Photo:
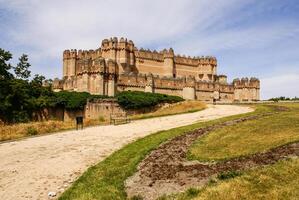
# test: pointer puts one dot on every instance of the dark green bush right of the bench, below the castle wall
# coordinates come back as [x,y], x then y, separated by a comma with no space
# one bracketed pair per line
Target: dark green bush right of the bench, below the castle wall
[136,100]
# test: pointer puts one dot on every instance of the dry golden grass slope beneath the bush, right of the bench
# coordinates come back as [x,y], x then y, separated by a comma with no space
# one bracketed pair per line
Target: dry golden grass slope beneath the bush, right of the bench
[172,109]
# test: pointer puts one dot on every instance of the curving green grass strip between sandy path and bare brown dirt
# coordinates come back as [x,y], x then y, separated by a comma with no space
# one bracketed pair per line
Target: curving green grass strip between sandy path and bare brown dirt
[105,180]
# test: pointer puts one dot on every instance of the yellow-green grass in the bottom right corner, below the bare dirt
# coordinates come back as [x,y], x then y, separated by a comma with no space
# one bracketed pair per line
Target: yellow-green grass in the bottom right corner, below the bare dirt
[277,181]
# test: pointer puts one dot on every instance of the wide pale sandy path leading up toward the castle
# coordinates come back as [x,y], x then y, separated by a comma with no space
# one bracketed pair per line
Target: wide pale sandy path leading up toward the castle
[33,167]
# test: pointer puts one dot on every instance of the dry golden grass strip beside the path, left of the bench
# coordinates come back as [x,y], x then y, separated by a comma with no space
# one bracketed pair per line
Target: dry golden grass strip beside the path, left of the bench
[16,131]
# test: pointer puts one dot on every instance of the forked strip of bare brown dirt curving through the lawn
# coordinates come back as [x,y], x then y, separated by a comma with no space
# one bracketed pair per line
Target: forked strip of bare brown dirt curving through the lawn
[166,170]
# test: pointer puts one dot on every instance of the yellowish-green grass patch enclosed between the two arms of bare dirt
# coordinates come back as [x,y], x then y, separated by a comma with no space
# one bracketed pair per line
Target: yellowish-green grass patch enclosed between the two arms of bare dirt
[248,137]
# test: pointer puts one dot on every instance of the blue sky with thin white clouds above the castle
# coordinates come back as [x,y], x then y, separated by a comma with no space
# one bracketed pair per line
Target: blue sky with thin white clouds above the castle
[250,38]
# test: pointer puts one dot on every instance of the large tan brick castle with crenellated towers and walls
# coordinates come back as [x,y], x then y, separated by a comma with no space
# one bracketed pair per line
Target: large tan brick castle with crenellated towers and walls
[119,66]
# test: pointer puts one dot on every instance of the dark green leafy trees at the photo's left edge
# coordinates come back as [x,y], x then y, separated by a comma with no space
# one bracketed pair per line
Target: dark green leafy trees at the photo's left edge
[19,97]
